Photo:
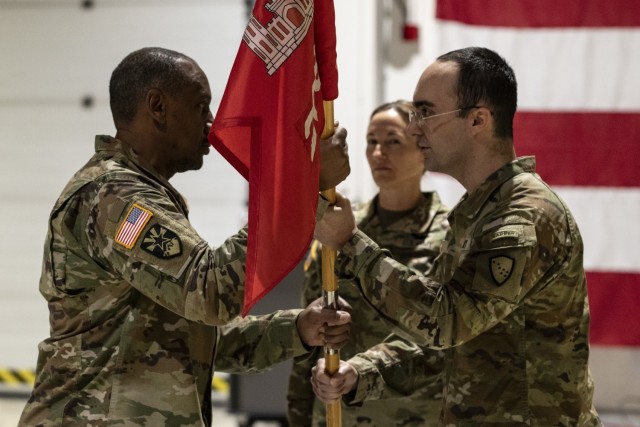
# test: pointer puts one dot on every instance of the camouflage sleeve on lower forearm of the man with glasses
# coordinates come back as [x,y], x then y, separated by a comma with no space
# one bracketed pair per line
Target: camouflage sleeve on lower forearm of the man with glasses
[395,368]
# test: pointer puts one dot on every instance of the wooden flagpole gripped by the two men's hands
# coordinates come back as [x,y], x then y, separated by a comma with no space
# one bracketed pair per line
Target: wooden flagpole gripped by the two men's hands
[329,282]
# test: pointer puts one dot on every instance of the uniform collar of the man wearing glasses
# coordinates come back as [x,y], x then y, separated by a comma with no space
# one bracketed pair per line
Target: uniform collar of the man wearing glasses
[470,204]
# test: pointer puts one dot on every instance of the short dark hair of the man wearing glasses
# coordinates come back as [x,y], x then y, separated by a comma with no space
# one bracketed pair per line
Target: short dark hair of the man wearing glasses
[486,79]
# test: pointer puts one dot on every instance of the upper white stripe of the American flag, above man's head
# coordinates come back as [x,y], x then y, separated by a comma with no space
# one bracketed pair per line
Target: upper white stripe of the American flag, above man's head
[561,69]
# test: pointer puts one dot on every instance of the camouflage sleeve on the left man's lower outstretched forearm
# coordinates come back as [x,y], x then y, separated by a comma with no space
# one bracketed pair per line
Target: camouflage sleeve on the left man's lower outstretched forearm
[257,343]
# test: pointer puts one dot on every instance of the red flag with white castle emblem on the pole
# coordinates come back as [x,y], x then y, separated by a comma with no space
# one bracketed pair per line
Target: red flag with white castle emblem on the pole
[268,127]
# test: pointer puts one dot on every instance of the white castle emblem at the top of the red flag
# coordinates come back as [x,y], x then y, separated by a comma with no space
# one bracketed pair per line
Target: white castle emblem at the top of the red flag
[276,41]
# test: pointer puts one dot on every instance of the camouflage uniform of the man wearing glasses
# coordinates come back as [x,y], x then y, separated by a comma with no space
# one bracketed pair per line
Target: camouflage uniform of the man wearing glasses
[509,304]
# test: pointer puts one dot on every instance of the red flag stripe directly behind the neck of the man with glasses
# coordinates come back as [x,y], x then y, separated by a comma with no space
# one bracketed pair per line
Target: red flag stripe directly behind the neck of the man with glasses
[581,149]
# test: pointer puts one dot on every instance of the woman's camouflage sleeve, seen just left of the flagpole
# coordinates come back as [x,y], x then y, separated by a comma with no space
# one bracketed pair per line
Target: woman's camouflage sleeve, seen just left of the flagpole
[300,395]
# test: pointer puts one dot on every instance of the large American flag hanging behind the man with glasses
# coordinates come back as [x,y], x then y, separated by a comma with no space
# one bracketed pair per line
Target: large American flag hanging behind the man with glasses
[578,68]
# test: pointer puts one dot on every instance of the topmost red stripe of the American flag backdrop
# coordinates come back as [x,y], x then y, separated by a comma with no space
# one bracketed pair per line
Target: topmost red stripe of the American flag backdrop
[541,13]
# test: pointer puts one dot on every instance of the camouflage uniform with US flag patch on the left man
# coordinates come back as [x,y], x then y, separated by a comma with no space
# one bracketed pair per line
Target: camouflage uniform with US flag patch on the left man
[134,293]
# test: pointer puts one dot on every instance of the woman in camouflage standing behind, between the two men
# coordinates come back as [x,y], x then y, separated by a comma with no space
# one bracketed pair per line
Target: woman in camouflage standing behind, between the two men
[411,225]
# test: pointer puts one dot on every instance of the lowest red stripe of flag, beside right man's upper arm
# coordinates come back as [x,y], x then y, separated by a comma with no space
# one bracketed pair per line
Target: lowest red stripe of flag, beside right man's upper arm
[613,301]
